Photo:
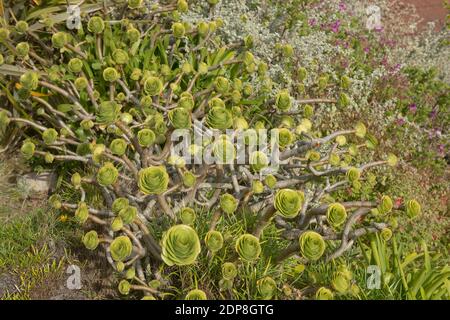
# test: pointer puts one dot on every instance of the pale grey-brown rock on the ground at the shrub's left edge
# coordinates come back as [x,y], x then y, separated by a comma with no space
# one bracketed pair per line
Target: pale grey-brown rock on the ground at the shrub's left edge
[40,183]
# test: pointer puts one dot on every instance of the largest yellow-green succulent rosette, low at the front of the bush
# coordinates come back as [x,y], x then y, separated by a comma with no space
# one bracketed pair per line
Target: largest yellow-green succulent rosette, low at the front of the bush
[180,246]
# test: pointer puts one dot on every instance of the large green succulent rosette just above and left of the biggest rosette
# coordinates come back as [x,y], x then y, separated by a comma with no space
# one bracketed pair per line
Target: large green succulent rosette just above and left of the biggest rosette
[153,180]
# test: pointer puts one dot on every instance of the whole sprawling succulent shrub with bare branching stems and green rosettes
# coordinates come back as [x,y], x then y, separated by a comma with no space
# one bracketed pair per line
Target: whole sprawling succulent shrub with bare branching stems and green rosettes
[108,97]
